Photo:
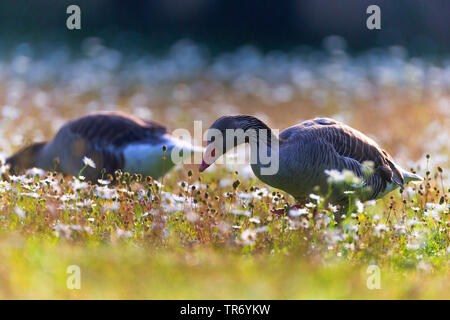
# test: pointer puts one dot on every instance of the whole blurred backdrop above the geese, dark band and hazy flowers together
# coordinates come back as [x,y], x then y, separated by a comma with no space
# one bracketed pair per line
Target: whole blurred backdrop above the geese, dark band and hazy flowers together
[179,61]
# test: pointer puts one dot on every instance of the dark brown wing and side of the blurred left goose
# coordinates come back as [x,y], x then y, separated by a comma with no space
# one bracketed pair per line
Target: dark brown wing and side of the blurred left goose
[102,137]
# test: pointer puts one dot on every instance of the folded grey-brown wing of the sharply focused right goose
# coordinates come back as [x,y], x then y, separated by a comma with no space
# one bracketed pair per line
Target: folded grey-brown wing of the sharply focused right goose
[338,146]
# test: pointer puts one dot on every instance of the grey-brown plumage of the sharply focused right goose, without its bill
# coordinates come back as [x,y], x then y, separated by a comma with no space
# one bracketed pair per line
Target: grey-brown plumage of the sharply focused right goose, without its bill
[310,148]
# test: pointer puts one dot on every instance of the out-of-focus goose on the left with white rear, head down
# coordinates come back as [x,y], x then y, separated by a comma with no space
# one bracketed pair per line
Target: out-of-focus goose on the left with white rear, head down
[113,140]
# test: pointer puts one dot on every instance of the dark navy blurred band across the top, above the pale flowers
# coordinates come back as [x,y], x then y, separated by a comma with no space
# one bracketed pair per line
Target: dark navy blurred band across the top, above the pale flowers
[422,26]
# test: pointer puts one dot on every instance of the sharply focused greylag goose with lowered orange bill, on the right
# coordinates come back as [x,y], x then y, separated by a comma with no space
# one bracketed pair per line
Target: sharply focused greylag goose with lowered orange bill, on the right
[307,153]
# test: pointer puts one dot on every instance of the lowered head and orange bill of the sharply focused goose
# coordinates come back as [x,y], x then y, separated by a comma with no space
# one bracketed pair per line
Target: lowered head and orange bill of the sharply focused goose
[228,132]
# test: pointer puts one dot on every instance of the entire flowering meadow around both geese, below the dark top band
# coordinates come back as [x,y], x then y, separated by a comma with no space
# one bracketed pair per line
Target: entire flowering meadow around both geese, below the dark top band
[215,238]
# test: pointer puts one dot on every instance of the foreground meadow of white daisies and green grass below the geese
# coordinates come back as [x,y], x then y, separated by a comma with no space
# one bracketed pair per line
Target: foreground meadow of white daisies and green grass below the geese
[216,241]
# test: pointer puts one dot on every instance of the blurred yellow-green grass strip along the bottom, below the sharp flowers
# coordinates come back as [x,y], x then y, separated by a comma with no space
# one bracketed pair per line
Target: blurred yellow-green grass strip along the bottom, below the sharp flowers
[38,269]
